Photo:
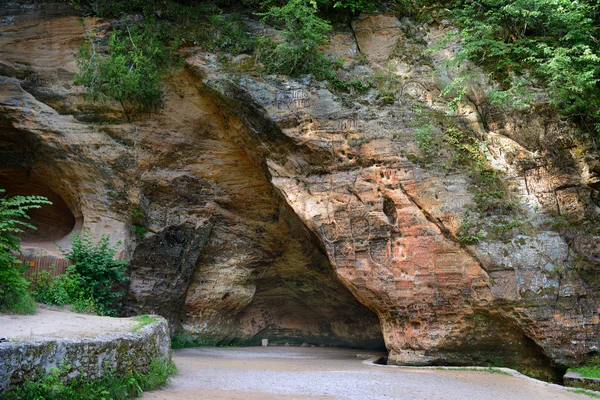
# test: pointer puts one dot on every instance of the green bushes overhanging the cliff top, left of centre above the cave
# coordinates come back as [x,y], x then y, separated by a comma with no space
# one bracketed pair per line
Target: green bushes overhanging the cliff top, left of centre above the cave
[131,68]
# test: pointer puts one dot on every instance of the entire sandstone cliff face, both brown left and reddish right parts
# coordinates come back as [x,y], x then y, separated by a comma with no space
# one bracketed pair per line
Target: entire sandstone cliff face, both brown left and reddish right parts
[278,209]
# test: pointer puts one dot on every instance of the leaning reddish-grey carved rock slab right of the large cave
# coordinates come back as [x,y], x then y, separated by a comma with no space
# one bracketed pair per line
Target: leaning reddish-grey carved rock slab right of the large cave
[379,185]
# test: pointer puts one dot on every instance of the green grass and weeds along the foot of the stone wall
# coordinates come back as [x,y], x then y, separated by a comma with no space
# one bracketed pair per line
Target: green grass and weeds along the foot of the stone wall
[56,386]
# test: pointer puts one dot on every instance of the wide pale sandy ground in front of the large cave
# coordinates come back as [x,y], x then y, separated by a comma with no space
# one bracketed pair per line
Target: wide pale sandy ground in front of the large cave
[288,373]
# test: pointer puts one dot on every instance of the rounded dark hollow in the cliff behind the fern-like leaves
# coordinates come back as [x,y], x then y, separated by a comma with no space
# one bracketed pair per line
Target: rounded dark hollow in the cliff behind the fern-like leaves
[54,222]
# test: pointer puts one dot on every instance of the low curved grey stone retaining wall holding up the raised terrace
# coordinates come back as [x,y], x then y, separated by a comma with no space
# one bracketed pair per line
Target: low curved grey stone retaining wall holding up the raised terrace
[94,358]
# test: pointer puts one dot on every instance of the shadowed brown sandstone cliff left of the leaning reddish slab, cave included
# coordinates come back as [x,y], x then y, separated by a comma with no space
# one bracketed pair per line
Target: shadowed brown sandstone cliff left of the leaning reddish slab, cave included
[216,251]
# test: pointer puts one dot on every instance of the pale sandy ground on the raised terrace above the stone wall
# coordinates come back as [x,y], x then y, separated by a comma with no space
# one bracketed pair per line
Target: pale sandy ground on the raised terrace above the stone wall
[53,323]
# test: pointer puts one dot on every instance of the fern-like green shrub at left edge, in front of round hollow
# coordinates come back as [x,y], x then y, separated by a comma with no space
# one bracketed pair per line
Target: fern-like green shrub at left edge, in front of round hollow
[14,295]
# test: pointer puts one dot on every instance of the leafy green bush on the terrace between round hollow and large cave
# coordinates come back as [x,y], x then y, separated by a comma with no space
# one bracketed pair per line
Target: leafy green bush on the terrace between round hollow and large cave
[97,273]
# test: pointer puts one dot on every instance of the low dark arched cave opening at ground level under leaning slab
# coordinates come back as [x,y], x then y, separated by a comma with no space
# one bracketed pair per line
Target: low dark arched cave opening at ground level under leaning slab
[310,310]
